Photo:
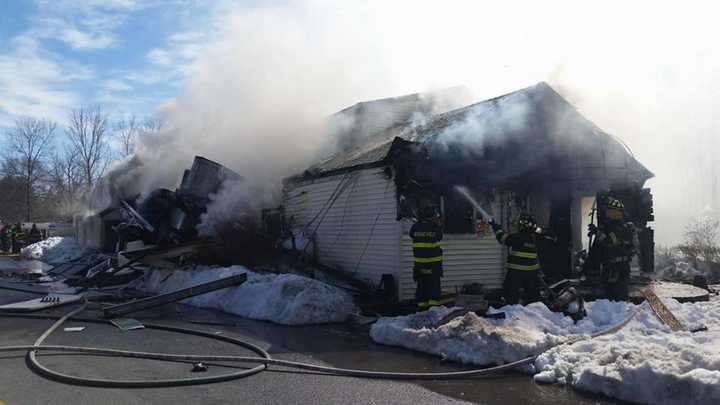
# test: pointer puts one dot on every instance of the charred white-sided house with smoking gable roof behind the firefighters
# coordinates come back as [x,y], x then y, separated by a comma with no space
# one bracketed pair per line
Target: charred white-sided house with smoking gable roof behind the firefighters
[527,151]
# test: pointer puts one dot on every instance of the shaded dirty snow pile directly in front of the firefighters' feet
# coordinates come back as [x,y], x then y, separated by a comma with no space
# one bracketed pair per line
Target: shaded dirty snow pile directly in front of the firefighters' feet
[526,331]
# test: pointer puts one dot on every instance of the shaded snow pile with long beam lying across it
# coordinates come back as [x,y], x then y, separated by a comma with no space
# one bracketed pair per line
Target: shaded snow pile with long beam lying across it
[282,298]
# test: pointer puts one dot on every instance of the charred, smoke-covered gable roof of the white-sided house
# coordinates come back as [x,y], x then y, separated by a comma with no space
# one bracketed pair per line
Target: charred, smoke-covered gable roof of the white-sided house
[530,133]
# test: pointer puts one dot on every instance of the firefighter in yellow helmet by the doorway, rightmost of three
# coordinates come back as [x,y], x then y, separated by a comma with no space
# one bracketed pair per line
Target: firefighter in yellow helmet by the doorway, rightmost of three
[613,249]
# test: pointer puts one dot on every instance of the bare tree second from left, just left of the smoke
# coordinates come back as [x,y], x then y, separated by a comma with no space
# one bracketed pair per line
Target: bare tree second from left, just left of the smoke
[88,139]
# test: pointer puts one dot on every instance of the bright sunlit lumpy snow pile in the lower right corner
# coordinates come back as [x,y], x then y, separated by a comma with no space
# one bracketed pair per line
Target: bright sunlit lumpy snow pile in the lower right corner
[645,362]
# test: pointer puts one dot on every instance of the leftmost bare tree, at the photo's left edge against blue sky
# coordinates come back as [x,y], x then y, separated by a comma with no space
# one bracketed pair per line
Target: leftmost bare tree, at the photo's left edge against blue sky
[28,145]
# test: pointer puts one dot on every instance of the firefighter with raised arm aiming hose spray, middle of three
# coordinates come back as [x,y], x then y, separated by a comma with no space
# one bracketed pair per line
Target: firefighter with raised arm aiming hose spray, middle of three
[523,267]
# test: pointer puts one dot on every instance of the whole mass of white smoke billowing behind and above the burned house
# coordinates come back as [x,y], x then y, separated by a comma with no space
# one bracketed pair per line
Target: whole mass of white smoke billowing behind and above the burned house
[647,72]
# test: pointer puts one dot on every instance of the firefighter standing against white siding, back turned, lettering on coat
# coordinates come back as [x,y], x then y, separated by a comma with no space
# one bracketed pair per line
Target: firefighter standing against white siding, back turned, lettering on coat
[426,235]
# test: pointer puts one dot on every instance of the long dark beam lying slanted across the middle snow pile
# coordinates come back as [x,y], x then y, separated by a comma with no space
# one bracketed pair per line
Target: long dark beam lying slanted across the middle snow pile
[162,299]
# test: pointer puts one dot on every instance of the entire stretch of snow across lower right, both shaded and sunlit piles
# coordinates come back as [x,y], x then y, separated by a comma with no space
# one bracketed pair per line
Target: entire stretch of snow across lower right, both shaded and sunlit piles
[644,362]
